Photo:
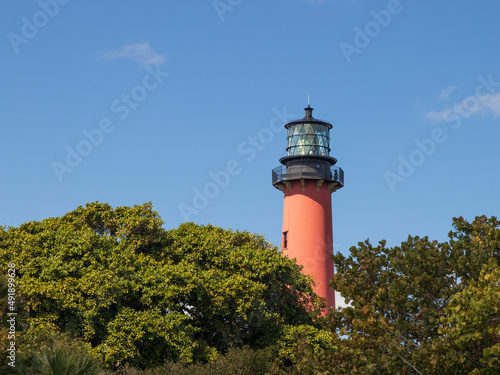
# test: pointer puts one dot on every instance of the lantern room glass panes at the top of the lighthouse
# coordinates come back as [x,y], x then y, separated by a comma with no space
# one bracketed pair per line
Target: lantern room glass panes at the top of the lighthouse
[308,139]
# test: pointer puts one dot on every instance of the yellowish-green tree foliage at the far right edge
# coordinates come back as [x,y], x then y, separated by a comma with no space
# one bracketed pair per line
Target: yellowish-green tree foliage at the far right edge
[469,341]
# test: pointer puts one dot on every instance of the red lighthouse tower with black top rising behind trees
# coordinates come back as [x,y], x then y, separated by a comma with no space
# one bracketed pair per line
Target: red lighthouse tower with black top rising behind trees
[308,177]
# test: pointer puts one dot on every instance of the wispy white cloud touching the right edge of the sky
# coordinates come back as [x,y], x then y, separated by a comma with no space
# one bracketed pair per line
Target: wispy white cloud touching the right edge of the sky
[471,105]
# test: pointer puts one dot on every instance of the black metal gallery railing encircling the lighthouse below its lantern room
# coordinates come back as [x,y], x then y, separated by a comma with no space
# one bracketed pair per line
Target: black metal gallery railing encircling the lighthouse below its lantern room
[296,172]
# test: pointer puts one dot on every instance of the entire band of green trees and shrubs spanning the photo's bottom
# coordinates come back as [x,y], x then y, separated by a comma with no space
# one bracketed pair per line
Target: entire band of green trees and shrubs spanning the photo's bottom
[112,285]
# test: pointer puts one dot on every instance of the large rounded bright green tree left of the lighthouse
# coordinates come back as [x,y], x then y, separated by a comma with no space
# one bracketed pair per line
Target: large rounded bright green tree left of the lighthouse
[115,279]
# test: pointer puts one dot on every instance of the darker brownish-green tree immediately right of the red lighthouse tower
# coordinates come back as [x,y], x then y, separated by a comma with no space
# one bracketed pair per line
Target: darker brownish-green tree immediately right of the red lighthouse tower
[397,296]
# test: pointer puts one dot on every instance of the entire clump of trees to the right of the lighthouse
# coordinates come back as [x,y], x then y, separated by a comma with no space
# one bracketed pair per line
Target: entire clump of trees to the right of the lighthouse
[419,308]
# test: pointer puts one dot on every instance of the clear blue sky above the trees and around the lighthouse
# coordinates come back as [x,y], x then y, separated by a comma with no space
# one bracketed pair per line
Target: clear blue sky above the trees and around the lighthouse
[129,102]
